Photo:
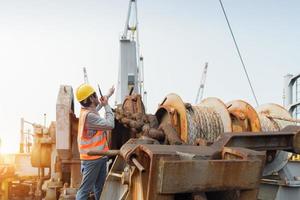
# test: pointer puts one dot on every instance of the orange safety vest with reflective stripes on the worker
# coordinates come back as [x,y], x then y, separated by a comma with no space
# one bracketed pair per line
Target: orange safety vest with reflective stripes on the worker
[86,144]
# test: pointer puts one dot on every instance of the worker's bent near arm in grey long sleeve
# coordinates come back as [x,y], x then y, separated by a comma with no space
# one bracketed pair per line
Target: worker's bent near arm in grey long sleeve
[95,122]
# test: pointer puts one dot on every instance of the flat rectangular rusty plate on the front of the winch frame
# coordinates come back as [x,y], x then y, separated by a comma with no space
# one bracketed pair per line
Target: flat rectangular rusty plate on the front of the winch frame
[208,175]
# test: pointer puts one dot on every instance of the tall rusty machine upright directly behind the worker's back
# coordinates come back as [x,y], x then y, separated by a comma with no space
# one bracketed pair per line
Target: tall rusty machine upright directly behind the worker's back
[65,165]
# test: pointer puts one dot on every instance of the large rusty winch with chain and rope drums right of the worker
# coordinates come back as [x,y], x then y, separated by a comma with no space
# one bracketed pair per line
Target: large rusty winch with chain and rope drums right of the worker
[140,172]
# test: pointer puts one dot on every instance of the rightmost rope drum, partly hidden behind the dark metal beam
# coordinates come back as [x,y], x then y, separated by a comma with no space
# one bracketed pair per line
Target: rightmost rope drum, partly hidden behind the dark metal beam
[278,159]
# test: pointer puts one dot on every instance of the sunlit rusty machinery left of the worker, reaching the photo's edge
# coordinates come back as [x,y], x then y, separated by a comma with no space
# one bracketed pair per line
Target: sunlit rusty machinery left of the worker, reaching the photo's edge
[53,155]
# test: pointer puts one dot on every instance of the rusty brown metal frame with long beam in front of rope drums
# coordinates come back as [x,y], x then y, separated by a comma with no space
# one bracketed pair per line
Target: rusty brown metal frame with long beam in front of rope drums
[233,163]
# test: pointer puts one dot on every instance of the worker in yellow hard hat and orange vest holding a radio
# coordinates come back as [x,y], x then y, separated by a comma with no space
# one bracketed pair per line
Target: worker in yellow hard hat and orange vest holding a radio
[92,135]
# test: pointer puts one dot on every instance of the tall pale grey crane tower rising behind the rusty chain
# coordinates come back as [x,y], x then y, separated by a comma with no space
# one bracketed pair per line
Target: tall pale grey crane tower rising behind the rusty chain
[131,73]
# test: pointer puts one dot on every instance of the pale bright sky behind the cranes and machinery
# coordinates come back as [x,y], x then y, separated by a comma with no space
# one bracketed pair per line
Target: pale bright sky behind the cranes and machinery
[44,44]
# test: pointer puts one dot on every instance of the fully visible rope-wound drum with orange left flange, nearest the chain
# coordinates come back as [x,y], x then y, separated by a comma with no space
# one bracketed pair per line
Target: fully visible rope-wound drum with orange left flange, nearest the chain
[204,121]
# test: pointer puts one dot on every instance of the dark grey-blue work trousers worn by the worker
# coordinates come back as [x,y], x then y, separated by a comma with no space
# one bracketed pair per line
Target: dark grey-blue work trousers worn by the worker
[93,178]
